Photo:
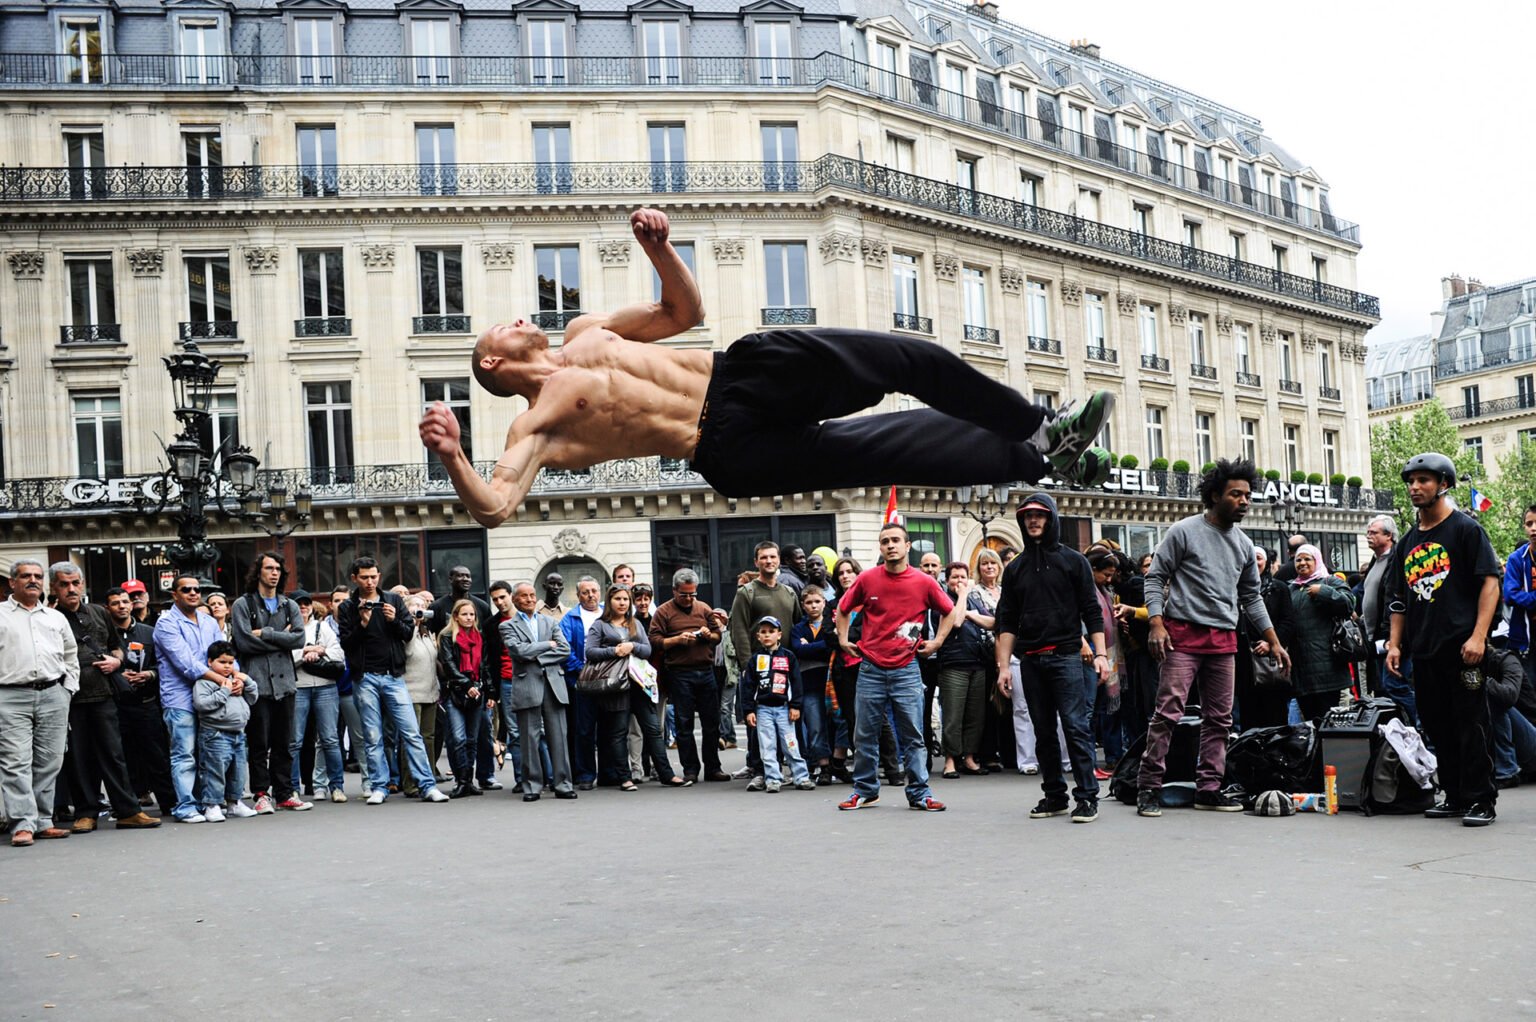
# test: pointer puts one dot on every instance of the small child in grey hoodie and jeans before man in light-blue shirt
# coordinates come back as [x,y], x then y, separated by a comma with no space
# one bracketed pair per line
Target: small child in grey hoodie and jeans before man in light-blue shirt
[223,709]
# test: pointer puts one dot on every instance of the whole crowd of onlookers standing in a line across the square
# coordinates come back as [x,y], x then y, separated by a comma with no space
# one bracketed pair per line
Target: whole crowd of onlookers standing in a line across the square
[231,708]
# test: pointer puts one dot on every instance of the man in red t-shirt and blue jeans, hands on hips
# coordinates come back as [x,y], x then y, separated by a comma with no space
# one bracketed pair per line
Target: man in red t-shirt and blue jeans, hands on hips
[895,602]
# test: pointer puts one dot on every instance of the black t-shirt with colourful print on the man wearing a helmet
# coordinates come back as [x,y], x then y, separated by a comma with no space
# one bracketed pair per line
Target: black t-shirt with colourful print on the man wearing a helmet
[1438,576]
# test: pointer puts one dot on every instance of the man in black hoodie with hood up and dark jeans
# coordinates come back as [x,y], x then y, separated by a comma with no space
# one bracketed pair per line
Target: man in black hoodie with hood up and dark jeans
[1047,608]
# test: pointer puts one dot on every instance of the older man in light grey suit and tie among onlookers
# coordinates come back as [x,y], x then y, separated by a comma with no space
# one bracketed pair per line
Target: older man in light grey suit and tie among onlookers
[537,692]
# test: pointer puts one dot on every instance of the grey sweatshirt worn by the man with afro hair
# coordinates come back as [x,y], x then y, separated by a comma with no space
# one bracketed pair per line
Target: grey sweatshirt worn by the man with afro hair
[1196,572]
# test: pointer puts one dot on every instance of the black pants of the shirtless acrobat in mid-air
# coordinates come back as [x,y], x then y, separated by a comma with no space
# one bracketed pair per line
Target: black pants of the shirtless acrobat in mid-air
[786,391]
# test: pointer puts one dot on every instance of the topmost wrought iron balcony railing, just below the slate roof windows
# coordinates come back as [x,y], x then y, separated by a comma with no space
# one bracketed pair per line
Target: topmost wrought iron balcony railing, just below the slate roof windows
[535,75]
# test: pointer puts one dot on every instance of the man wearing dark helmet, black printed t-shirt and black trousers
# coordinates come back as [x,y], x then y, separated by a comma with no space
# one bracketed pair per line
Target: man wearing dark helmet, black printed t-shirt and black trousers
[1445,588]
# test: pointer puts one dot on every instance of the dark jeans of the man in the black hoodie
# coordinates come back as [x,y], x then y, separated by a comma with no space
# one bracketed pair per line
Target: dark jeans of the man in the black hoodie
[1056,691]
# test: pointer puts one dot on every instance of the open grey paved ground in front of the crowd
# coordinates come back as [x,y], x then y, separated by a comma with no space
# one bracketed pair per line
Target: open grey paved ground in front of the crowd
[713,903]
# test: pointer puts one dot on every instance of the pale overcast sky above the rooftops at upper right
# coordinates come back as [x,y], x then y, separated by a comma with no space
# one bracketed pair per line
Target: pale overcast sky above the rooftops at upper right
[1417,116]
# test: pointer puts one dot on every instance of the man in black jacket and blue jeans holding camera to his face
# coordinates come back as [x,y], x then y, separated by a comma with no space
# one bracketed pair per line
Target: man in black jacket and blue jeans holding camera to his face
[374,629]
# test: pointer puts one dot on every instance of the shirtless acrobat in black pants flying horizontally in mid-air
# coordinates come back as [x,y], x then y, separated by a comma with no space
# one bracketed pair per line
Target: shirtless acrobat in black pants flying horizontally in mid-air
[611,394]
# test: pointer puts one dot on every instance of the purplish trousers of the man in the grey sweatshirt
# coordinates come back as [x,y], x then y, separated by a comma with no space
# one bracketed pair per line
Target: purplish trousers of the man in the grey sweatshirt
[1216,674]
